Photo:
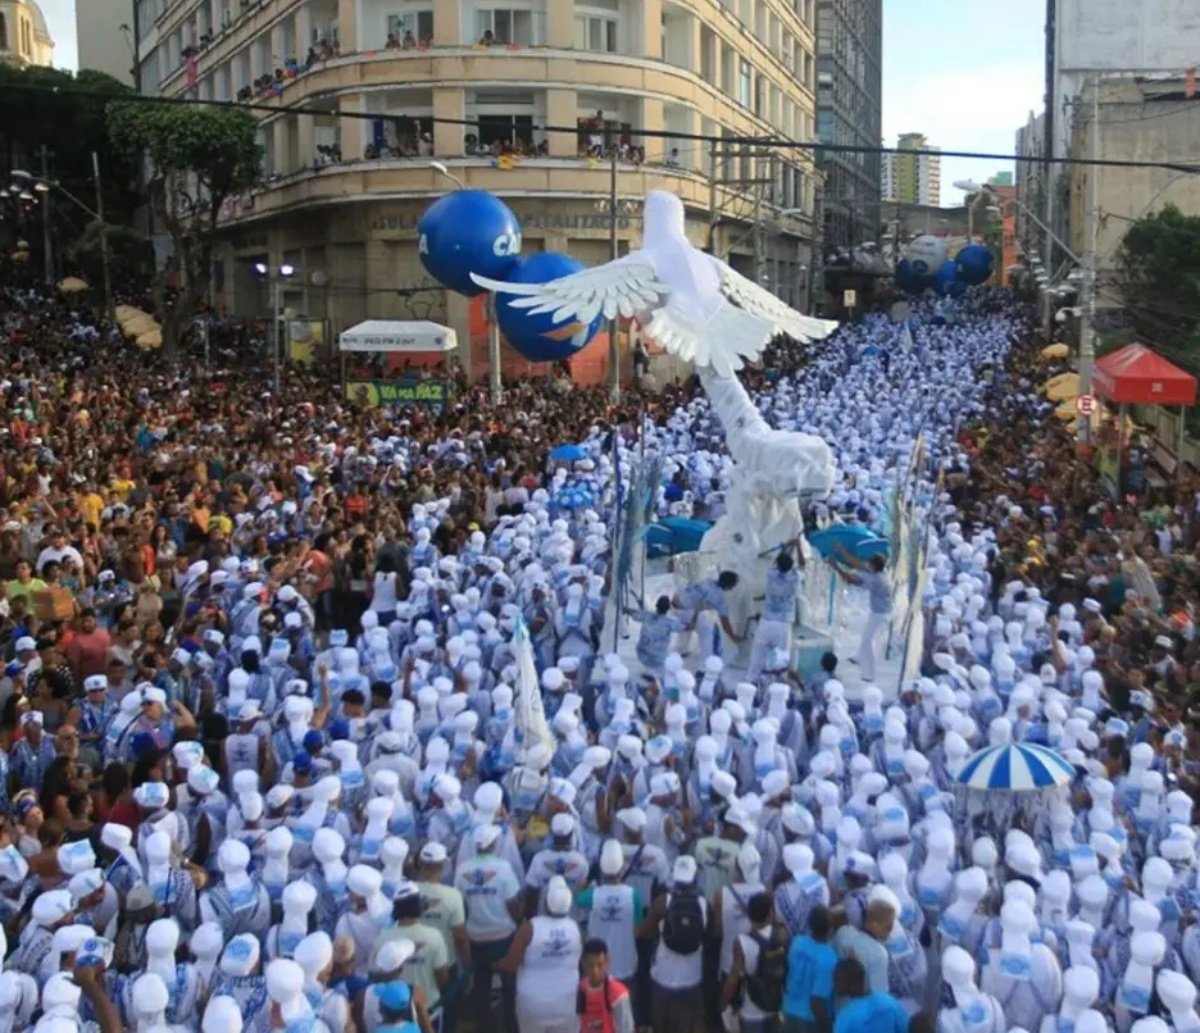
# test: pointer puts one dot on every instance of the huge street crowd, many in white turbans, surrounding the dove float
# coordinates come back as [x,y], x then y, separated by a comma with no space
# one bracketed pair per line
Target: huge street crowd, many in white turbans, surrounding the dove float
[309,720]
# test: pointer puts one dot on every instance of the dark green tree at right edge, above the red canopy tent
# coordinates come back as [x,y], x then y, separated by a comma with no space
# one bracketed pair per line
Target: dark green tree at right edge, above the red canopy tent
[1159,273]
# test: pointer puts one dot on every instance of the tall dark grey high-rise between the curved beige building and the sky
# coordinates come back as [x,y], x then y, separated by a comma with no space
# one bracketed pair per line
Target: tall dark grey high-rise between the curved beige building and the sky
[850,49]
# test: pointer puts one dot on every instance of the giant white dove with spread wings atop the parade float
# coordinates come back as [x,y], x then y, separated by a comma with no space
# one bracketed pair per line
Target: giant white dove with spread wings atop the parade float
[691,304]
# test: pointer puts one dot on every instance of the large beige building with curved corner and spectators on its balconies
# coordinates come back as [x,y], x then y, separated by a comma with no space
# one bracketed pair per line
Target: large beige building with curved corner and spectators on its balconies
[362,97]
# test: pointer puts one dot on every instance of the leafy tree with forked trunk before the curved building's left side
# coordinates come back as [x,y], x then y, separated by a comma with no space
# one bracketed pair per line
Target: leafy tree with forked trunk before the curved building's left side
[197,158]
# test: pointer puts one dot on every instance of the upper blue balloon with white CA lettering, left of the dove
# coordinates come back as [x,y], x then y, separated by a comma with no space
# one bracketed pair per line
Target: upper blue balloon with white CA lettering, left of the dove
[466,232]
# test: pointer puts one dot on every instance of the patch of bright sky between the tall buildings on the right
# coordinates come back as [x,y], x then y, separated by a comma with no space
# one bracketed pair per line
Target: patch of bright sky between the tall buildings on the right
[967,75]
